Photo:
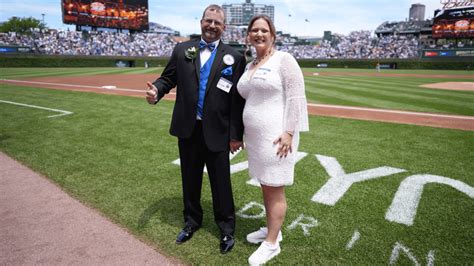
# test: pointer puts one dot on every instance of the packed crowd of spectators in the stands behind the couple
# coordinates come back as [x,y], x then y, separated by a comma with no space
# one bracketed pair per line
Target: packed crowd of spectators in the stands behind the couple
[359,44]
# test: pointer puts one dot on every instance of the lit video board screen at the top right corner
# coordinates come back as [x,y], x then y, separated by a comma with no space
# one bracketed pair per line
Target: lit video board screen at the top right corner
[454,23]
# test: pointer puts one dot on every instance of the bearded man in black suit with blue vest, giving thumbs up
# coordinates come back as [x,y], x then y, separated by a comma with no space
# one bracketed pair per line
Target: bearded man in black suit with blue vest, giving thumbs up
[207,119]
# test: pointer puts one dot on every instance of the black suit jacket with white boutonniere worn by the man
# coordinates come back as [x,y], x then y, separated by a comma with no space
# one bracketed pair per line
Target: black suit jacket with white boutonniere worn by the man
[222,112]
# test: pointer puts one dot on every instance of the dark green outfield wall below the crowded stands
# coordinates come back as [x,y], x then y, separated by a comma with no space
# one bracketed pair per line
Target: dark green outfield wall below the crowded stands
[15,60]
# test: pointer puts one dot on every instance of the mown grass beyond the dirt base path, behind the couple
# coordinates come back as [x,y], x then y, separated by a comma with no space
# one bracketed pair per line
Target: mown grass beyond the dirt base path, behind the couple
[401,93]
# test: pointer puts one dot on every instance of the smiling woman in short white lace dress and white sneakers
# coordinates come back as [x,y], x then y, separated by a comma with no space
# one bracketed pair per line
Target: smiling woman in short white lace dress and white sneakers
[274,114]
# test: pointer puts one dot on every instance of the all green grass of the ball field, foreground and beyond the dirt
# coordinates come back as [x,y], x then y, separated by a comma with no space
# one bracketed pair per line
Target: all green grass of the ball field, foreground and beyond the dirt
[115,155]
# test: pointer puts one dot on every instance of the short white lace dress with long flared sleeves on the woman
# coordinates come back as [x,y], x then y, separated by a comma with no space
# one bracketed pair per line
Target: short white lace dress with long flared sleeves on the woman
[275,103]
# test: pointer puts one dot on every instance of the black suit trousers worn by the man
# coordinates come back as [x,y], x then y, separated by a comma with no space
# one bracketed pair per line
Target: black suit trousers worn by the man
[194,154]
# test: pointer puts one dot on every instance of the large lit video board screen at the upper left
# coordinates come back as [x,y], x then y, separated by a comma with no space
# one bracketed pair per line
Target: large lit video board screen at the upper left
[120,14]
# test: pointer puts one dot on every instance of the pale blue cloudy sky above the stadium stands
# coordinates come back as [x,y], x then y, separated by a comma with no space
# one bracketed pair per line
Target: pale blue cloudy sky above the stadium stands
[339,16]
